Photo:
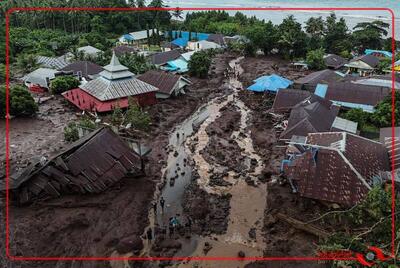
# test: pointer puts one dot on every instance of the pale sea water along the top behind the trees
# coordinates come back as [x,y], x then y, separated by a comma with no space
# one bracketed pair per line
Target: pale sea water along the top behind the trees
[352,17]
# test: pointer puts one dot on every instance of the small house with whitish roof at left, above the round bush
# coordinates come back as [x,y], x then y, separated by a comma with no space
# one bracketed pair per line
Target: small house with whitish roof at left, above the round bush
[39,79]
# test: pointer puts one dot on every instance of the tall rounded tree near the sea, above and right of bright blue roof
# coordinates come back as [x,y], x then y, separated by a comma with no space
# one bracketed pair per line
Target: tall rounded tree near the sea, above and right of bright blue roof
[292,39]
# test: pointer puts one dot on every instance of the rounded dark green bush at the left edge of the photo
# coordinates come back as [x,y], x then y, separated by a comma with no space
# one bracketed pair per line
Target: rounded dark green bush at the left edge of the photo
[20,101]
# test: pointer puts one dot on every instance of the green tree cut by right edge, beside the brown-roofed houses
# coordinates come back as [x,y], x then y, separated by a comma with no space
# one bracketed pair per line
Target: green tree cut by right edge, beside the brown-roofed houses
[382,115]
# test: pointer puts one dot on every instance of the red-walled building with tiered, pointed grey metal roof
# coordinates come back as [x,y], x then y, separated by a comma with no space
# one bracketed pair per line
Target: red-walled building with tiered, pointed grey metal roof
[111,89]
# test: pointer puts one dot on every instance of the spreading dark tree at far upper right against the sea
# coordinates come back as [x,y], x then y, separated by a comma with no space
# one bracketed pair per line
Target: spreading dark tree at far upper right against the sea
[369,35]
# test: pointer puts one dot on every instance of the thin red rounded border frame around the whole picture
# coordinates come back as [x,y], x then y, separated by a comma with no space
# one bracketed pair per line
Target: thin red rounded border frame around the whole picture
[19,258]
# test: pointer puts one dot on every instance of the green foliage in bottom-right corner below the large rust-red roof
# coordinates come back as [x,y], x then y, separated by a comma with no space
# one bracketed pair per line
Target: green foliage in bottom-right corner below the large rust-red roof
[367,224]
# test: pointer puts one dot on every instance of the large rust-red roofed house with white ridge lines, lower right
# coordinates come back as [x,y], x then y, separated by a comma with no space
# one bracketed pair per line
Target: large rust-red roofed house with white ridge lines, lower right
[335,167]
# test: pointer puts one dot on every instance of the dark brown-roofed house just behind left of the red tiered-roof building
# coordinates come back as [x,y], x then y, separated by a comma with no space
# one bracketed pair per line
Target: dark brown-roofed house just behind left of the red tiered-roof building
[83,70]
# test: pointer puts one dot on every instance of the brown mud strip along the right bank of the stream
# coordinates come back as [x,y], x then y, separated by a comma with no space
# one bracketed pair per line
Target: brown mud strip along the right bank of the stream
[281,238]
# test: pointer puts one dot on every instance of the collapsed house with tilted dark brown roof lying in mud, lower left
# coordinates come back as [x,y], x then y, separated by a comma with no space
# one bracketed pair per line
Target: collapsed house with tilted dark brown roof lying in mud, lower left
[89,165]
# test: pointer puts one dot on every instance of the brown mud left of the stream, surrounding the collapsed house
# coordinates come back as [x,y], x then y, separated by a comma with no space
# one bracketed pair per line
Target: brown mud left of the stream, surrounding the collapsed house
[106,224]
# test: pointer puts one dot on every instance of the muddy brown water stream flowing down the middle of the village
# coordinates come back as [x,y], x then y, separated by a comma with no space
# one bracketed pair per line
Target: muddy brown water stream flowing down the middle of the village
[247,201]
